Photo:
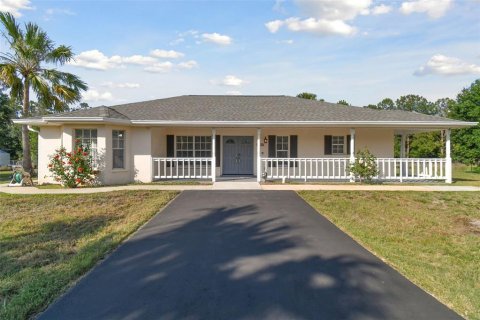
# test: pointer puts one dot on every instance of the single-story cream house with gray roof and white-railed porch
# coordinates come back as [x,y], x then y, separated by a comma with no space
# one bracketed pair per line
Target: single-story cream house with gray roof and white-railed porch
[272,137]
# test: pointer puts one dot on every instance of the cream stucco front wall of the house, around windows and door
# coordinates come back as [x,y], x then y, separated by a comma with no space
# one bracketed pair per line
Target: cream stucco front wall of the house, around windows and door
[143,143]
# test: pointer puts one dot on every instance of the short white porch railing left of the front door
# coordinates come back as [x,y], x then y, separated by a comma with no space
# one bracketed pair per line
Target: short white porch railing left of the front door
[182,168]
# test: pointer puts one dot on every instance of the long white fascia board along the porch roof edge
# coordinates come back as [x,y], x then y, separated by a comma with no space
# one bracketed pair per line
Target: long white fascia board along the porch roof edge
[381,124]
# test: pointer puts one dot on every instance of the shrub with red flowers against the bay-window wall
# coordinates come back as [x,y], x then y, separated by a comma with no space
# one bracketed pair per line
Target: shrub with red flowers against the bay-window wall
[74,168]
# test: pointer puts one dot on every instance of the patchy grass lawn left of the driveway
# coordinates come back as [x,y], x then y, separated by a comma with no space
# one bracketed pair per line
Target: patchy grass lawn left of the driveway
[48,241]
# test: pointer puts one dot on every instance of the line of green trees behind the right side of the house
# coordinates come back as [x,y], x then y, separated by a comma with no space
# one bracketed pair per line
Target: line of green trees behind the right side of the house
[465,107]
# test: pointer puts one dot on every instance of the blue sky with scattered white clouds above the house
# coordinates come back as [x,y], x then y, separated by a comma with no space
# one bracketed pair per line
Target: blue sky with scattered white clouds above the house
[360,51]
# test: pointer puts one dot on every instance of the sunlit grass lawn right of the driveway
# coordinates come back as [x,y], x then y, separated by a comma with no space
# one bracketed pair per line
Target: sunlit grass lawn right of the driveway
[427,236]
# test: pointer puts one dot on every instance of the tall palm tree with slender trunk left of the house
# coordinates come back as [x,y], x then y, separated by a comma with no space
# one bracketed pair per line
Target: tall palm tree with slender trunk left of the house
[24,68]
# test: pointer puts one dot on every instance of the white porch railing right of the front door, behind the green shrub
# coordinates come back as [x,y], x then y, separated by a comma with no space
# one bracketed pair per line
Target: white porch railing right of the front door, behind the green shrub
[390,169]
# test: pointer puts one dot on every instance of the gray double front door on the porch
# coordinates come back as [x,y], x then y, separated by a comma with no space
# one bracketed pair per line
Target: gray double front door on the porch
[237,155]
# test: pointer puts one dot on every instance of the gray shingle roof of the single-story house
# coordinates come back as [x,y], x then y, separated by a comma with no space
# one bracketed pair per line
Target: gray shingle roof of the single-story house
[246,108]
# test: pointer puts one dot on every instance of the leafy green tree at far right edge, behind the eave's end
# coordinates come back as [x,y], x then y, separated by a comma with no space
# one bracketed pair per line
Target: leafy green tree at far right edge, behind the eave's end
[466,142]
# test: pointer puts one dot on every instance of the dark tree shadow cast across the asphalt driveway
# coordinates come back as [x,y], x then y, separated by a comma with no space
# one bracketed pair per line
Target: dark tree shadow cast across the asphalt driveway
[223,264]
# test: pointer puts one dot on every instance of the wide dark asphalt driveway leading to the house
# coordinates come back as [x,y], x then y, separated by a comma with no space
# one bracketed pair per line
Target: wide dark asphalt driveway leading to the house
[243,255]
